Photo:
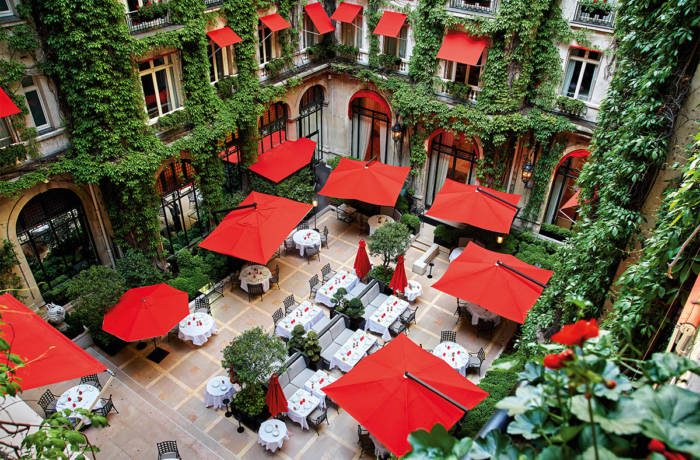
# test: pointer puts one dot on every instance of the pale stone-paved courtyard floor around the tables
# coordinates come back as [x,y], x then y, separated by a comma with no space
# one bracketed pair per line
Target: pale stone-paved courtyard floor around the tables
[165,401]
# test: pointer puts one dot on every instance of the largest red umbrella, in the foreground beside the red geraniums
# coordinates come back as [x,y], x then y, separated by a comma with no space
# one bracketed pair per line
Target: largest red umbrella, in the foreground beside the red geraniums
[392,393]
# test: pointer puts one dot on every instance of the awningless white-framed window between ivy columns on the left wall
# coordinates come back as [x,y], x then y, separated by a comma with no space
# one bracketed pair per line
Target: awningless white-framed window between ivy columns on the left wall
[160,85]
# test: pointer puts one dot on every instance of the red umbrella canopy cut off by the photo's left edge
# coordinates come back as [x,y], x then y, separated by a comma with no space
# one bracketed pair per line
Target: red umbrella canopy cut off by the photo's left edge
[48,356]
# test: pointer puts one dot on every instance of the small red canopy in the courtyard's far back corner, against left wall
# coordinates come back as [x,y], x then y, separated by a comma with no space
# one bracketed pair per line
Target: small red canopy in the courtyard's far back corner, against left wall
[285,159]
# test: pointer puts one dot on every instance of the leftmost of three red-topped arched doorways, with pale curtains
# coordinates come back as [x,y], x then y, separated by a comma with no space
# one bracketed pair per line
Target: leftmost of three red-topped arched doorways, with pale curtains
[371,118]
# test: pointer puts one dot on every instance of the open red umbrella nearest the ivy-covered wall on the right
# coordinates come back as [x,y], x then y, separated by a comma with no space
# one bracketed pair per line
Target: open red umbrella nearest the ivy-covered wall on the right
[497,282]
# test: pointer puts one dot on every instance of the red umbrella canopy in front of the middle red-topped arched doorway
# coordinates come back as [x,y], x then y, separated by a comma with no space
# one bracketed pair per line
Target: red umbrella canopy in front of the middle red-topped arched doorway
[475,205]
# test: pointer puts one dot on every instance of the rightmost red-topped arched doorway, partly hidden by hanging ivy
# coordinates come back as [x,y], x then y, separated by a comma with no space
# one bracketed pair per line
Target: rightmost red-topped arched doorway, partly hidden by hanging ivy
[562,191]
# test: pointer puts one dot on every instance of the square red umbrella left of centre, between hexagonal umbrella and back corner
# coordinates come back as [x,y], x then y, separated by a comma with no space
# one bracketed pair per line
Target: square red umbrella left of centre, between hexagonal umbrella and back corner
[257,228]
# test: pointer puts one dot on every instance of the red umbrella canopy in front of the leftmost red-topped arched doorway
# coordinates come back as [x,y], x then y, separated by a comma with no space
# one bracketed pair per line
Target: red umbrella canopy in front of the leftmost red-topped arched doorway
[371,182]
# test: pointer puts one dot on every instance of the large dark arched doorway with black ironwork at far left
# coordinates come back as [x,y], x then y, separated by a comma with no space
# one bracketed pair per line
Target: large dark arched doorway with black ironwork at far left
[55,238]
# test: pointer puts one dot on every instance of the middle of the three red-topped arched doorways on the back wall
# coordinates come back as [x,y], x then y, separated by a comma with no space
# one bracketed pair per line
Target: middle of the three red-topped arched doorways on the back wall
[449,157]
